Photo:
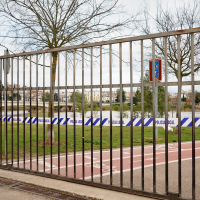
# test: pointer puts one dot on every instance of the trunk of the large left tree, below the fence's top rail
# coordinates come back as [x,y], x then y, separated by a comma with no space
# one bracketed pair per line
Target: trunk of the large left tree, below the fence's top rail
[55,58]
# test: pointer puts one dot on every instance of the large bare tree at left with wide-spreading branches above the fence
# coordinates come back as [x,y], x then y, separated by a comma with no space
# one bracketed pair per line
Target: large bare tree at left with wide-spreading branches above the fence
[40,24]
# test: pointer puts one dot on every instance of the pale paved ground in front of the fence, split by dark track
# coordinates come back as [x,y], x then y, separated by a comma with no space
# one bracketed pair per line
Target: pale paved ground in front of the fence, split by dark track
[8,193]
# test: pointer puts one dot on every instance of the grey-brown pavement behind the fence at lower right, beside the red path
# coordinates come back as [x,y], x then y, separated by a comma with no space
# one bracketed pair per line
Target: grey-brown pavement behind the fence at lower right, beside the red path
[186,179]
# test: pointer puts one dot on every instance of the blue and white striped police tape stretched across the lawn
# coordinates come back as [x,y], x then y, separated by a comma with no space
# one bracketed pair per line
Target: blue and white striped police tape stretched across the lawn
[173,122]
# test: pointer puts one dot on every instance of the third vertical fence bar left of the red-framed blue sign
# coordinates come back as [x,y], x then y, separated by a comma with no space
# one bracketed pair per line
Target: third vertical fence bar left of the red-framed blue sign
[121,131]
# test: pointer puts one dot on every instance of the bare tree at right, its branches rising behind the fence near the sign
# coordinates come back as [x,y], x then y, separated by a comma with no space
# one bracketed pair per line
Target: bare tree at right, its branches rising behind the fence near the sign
[167,19]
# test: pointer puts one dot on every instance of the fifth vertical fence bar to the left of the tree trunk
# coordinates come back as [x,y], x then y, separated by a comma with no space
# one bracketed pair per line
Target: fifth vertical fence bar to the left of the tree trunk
[18,112]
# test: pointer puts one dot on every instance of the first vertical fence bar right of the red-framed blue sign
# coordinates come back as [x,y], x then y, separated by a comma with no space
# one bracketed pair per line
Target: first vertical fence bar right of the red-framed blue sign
[166,121]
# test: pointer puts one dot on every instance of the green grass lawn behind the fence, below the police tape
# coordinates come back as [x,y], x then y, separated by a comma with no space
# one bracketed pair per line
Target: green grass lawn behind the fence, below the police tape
[148,138]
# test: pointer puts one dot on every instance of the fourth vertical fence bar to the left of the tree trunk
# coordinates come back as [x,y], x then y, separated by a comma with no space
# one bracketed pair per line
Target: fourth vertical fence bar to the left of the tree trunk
[24,132]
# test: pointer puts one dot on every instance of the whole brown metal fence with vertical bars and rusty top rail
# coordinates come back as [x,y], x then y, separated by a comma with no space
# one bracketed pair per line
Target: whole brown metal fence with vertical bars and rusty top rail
[73,157]
